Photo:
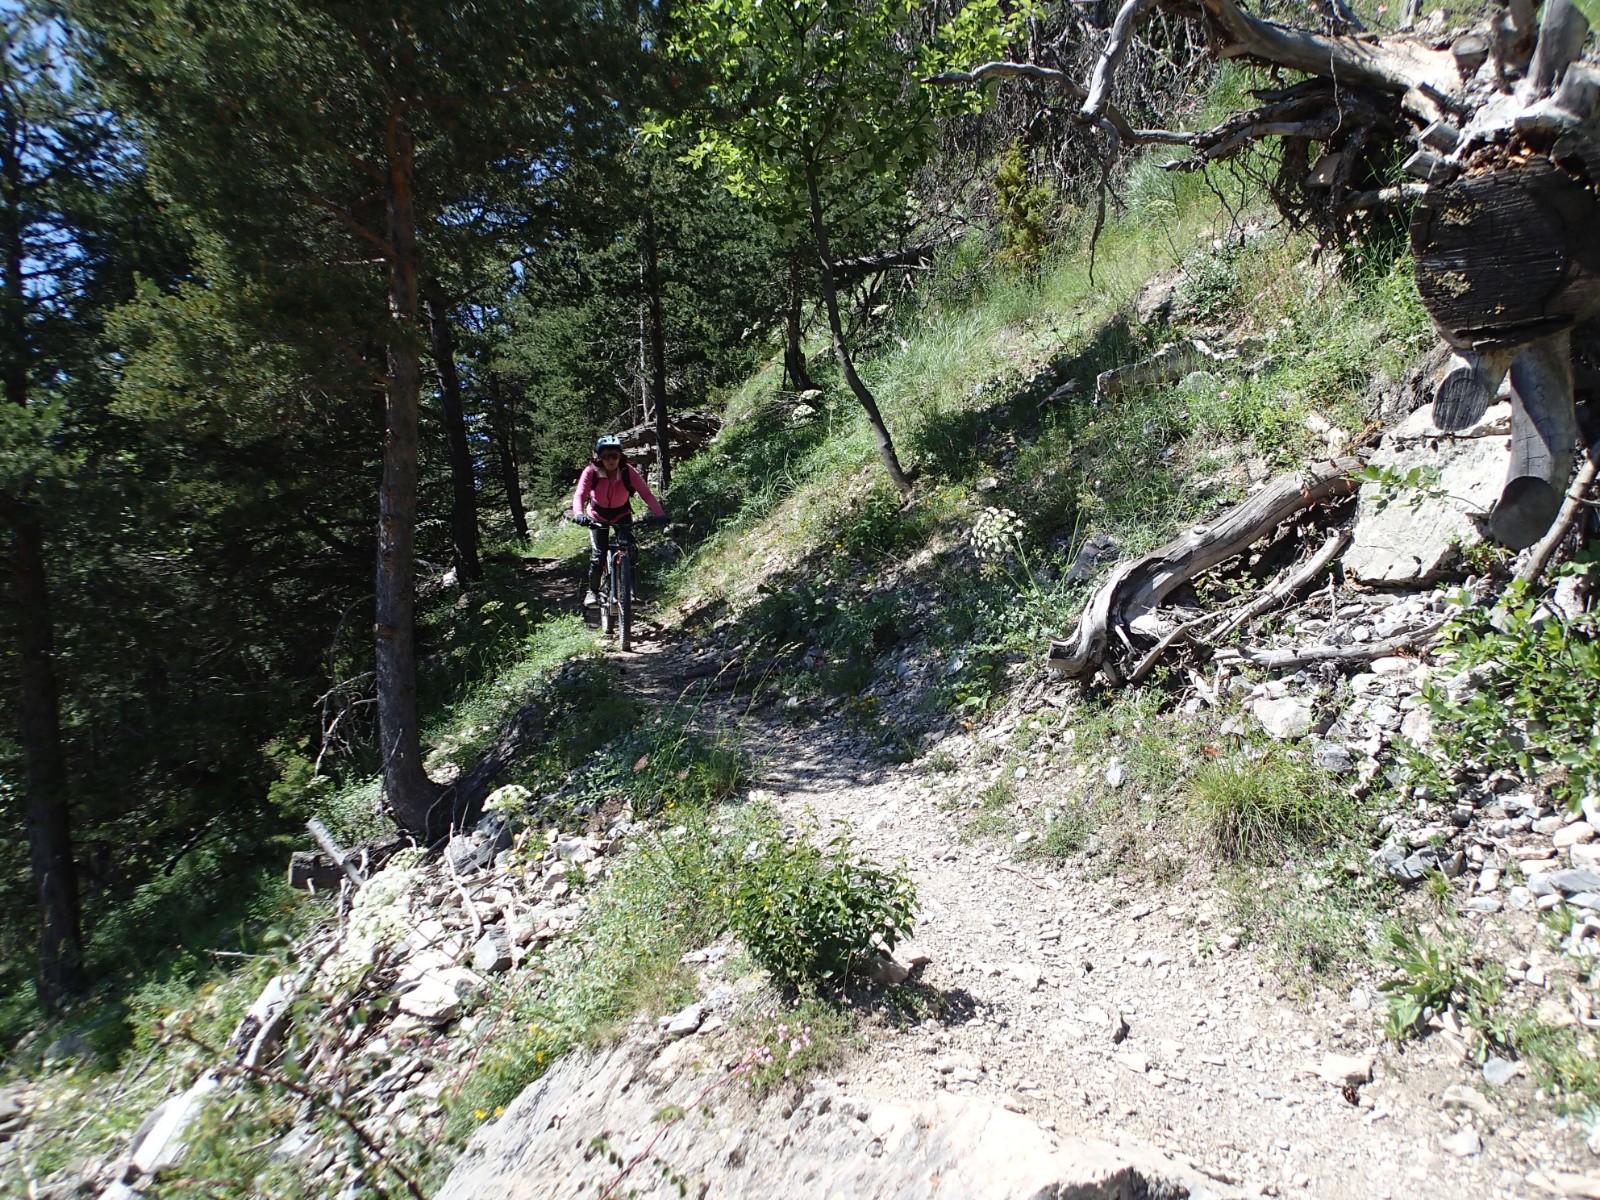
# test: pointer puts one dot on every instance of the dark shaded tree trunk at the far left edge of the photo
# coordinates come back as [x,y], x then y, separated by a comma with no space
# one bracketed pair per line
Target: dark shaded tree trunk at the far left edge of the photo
[46,785]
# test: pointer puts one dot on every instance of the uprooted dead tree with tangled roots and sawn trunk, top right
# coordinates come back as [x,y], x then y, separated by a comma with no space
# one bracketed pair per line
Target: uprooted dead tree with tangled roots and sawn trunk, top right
[1505,153]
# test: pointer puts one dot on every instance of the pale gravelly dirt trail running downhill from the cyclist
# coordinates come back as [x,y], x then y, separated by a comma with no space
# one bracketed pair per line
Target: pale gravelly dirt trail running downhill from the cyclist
[1042,969]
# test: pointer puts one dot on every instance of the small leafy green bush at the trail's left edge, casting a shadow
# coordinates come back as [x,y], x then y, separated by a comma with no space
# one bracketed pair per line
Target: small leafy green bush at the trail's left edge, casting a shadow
[812,916]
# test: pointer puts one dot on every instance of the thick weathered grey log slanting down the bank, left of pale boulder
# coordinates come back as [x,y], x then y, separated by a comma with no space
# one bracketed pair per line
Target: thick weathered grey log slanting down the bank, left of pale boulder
[1137,588]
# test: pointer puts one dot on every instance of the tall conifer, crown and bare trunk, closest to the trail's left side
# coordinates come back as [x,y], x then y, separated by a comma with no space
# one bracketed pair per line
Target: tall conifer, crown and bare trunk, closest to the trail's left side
[358,132]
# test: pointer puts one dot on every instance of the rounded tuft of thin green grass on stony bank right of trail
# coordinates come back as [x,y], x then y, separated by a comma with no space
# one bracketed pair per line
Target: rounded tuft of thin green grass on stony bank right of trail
[1252,807]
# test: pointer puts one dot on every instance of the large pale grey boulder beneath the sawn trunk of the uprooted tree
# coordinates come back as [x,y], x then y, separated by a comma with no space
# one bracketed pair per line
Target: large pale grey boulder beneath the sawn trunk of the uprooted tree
[1406,537]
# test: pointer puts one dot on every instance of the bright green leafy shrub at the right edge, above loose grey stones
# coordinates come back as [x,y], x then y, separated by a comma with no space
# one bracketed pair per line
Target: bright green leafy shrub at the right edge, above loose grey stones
[1534,698]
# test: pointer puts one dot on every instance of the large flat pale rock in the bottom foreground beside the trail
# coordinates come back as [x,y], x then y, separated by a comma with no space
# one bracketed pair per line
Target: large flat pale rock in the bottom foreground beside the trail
[822,1145]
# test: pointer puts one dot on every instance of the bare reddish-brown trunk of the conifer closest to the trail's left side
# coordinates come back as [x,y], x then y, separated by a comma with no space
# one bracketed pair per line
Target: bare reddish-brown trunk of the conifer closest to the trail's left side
[409,793]
